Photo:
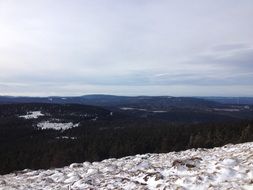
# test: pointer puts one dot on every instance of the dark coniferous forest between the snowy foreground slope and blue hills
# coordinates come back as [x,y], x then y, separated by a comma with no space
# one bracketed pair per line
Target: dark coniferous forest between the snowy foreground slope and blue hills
[104,133]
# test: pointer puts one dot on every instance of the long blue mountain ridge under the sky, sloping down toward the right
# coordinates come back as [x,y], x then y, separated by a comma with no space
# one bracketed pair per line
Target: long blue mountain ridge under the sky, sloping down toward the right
[110,100]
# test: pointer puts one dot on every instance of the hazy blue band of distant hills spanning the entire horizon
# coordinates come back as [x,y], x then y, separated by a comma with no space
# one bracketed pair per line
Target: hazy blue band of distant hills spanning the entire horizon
[148,102]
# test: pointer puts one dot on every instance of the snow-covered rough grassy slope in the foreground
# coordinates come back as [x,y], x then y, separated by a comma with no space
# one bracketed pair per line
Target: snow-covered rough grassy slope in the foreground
[228,167]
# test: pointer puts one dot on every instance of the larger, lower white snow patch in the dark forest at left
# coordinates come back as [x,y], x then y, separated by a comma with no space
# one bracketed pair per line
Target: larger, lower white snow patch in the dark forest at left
[56,126]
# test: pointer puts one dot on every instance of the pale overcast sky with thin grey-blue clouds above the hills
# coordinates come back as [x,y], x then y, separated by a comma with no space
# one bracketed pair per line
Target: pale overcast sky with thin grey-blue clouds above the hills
[126,47]
